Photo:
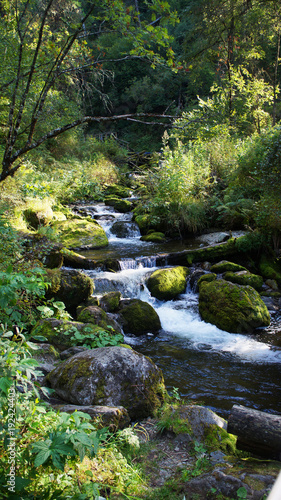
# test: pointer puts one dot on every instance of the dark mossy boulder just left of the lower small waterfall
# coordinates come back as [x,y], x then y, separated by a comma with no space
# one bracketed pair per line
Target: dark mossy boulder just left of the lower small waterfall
[69,286]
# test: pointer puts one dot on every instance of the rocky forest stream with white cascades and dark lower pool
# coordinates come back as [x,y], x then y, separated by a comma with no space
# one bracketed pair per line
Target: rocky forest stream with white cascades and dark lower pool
[207,365]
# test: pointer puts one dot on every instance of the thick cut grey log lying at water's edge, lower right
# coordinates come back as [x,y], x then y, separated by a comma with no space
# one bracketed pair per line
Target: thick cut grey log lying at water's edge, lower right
[256,431]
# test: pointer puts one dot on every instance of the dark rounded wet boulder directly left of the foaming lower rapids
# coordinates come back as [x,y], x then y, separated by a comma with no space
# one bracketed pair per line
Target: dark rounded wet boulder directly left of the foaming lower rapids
[139,317]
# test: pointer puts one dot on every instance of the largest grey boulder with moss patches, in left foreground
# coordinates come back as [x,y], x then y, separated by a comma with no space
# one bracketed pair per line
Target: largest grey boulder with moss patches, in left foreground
[110,376]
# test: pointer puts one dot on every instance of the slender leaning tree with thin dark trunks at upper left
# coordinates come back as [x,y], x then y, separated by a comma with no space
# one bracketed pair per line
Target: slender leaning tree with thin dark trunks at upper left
[50,48]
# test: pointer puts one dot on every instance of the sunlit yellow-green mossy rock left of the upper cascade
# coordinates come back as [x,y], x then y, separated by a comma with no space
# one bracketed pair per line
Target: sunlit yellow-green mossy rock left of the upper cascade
[80,233]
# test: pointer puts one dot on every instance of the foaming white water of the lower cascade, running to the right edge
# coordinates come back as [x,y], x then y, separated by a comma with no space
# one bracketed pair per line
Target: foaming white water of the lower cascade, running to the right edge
[181,317]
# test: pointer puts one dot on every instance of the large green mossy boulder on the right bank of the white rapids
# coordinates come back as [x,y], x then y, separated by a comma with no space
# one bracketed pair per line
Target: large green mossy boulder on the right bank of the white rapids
[233,308]
